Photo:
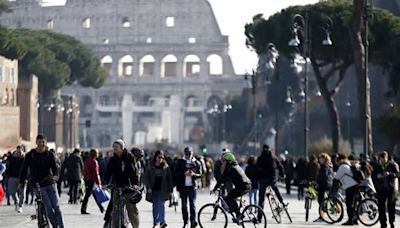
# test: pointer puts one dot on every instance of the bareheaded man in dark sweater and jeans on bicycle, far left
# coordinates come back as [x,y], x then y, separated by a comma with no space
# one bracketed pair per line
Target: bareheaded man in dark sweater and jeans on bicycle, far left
[43,167]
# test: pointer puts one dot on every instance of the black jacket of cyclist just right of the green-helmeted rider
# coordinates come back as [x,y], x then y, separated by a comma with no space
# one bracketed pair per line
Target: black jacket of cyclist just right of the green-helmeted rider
[267,167]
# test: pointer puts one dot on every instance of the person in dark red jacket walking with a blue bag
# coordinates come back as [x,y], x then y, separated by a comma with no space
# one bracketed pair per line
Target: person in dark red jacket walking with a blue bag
[92,178]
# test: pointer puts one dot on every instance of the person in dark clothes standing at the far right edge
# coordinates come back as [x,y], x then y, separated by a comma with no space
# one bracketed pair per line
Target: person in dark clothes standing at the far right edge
[385,176]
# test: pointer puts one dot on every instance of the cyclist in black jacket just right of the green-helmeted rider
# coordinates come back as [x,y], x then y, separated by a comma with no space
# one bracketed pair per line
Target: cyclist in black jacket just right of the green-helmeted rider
[267,165]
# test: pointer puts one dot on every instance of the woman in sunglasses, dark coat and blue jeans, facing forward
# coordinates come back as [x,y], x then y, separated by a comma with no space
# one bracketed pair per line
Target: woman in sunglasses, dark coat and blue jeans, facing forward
[159,185]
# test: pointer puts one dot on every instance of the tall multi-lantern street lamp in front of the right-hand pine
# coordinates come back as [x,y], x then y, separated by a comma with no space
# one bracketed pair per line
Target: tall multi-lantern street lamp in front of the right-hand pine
[301,26]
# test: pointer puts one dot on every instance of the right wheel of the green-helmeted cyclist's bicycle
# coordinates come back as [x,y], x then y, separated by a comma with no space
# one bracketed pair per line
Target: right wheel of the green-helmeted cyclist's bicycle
[254,216]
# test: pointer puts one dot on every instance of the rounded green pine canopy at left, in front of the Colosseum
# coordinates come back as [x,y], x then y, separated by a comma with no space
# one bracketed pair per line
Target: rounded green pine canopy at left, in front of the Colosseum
[58,60]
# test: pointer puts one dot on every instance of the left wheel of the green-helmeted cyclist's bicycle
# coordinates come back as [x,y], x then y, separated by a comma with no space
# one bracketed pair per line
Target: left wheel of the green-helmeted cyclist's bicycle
[212,215]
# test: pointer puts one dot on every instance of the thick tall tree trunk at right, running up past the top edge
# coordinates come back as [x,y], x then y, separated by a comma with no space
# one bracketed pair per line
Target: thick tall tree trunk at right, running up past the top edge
[363,86]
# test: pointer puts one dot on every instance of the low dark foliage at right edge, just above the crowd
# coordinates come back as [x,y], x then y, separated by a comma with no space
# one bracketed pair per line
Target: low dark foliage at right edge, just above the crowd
[389,125]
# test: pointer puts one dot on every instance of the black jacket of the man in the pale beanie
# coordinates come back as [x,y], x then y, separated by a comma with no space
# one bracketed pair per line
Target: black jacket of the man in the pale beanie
[122,171]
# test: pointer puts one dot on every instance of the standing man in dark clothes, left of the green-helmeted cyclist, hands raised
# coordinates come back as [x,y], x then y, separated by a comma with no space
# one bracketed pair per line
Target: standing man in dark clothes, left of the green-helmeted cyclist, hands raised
[187,174]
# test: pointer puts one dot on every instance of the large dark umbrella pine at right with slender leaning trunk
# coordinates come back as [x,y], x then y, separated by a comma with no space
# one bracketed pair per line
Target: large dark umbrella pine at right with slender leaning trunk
[329,63]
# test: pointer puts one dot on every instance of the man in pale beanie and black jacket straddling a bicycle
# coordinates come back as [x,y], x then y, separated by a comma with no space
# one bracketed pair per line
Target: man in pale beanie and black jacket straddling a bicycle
[123,172]
